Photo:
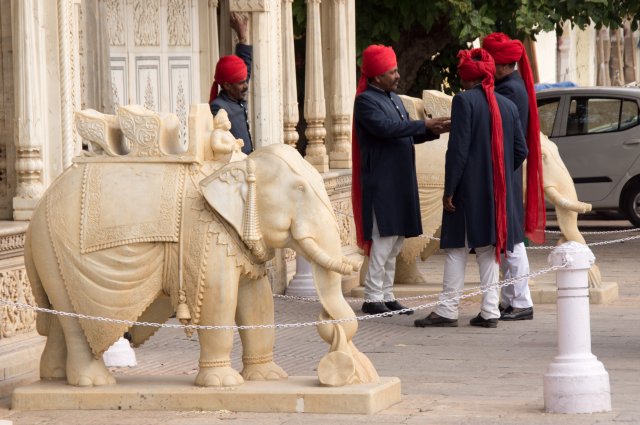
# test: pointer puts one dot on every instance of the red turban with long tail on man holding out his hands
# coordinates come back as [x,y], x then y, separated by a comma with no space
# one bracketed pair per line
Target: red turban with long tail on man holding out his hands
[376,60]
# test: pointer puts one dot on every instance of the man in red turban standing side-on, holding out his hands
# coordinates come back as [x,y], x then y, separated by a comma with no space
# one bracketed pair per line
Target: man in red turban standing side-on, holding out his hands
[385,190]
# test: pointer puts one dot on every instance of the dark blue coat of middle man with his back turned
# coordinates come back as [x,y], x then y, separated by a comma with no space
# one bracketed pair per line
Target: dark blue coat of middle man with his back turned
[469,171]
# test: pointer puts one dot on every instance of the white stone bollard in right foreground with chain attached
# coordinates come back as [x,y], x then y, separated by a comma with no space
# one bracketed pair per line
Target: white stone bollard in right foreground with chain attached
[575,382]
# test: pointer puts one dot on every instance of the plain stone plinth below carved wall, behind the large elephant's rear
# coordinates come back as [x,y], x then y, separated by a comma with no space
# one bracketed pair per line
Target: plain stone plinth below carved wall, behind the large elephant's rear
[19,361]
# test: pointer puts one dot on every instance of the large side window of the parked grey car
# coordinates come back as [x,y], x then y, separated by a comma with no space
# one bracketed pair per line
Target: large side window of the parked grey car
[600,115]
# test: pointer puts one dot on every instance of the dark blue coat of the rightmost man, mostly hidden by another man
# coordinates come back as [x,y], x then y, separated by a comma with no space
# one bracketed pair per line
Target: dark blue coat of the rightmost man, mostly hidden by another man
[512,87]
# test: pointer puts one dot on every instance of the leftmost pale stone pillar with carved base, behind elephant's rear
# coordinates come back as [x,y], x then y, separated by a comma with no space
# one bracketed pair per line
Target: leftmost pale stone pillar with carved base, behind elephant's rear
[30,110]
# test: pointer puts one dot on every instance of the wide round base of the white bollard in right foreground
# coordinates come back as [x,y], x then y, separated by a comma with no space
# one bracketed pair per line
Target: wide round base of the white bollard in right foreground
[572,386]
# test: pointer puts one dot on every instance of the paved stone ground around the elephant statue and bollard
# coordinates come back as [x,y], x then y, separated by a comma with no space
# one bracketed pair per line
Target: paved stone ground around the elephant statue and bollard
[462,375]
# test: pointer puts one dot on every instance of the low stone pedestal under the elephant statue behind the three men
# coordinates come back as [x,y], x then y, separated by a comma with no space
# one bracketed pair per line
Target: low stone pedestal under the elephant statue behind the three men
[541,293]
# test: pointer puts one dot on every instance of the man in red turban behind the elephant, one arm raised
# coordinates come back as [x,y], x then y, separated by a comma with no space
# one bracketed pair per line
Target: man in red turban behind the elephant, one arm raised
[232,74]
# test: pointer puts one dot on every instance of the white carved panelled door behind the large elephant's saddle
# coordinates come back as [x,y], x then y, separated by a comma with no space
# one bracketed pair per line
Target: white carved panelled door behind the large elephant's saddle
[155,54]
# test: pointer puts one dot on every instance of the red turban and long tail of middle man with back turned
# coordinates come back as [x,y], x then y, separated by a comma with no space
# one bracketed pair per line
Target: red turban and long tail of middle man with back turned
[474,65]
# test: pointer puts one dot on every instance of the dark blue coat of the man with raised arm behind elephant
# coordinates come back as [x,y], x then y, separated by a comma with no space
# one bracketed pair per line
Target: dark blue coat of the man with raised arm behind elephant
[237,110]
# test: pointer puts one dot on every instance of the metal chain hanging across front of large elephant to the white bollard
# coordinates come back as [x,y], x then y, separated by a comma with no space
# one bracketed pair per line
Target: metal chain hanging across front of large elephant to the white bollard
[130,323]
